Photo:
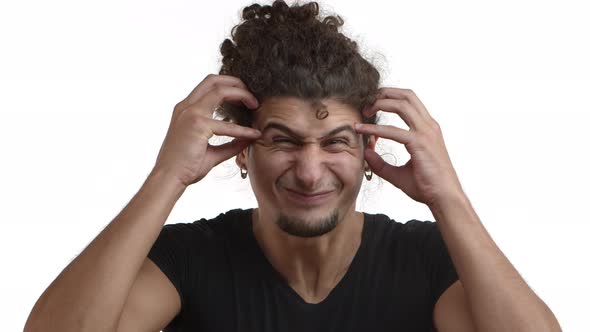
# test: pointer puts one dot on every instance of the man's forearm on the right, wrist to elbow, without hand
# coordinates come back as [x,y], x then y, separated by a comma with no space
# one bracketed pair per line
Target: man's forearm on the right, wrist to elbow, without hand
[499,298]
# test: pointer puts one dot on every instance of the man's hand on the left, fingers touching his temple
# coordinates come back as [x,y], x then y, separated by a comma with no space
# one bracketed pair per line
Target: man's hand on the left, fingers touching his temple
[186,154]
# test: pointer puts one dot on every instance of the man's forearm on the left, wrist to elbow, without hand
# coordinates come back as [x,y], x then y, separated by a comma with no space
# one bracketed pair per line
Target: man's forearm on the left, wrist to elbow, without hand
[90,293]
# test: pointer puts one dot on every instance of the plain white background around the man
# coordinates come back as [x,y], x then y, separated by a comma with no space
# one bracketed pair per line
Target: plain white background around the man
[87,90]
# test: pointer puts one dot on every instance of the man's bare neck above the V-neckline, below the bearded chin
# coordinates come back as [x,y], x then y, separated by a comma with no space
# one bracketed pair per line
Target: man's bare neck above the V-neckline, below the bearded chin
[311,266]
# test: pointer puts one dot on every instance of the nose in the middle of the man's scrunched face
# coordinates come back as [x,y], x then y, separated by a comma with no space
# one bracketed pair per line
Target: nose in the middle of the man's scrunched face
[310,167]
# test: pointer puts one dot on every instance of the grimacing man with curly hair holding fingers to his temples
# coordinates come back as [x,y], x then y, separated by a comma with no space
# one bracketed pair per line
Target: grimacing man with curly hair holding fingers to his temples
[301,104]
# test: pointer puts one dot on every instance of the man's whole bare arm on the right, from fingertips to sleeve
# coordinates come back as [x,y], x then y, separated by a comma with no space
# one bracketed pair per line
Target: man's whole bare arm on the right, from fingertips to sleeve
[498,297]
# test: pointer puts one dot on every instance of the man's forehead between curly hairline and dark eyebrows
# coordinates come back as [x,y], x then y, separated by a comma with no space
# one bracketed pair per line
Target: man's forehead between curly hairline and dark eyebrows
[301,114]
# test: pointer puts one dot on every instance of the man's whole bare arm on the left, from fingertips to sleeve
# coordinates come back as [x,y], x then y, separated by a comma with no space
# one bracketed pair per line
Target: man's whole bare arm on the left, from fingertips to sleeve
[93,292]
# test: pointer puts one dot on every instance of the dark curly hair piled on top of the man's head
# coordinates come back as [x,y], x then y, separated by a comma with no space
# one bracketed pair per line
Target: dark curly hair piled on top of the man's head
[279,50]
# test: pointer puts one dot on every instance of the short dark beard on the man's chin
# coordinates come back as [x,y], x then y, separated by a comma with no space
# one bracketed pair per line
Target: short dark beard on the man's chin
[301,228]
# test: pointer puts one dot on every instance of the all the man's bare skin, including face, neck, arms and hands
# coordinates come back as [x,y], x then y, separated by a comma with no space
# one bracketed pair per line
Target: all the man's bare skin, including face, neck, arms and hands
[110,290]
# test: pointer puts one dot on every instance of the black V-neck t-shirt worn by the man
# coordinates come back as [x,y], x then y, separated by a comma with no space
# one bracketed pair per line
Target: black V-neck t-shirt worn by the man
[226,283]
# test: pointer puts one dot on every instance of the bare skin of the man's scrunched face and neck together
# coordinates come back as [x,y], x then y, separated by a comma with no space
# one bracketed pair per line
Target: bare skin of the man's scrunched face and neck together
[296,154]
